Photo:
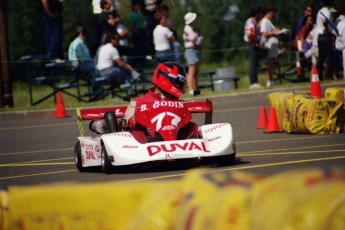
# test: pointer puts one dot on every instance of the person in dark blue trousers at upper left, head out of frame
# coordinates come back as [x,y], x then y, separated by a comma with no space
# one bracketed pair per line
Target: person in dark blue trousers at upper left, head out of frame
[53,28]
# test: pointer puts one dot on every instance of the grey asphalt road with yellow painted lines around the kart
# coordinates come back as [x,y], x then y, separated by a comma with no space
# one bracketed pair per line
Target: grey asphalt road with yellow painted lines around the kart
[38,149]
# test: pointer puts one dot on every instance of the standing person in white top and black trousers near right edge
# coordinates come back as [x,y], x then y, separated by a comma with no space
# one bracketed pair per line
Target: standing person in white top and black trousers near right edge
[324,41]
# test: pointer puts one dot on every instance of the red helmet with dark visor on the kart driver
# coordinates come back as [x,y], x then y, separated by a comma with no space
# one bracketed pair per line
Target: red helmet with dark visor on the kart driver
[170,77]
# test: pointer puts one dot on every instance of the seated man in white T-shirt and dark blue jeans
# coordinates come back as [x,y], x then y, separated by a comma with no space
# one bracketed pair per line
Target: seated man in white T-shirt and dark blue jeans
[110,64]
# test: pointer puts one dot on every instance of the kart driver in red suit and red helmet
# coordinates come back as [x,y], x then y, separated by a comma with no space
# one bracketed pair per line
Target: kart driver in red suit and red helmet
[169,79]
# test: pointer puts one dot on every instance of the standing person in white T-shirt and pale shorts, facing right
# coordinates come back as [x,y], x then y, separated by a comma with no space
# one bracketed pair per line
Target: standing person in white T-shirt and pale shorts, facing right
[270,41]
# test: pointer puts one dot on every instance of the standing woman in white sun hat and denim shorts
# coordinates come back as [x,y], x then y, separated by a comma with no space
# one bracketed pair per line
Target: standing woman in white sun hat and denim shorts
[192,42]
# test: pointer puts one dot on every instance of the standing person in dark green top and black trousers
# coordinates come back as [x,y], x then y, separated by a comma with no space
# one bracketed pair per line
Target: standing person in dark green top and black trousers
[138,31]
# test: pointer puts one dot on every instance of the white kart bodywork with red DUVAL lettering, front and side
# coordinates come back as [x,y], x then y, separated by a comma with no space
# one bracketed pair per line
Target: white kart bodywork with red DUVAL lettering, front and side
[217,139]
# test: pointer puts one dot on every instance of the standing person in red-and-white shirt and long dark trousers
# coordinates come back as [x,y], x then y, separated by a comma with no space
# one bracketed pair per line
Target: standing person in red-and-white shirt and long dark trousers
[252,39]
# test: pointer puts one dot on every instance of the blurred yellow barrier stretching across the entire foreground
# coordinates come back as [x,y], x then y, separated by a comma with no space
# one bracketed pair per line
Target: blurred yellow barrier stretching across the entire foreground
[312,198]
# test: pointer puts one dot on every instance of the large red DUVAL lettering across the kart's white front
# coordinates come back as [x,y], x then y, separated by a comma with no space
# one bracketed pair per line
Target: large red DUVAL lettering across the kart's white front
[173,147]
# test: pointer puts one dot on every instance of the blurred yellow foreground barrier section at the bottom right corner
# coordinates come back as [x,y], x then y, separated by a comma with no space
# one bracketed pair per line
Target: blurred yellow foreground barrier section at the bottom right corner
[300,199]
